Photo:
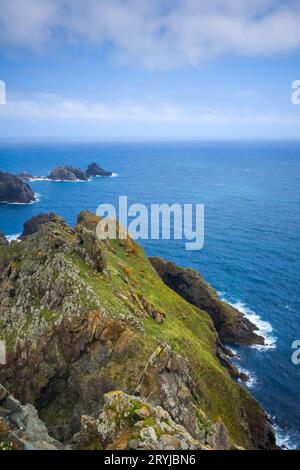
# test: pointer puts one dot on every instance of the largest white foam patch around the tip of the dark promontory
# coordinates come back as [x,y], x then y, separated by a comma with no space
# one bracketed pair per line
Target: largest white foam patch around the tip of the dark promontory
[264,328]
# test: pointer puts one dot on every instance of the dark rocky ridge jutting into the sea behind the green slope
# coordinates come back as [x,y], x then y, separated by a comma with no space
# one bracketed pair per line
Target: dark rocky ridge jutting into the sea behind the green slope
[231,324]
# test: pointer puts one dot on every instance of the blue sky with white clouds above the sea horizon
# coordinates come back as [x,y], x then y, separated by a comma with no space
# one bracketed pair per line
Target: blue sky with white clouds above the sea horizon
[149,69]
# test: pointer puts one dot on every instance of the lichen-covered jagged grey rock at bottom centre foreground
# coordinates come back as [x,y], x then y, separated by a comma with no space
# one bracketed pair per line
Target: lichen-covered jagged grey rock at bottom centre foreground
[129,422]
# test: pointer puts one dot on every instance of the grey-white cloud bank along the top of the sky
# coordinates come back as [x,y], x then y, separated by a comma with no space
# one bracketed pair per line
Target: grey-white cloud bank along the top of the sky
[156,34]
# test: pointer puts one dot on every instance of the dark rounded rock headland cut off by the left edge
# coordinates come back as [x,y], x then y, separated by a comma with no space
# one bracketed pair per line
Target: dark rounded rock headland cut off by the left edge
[14,190]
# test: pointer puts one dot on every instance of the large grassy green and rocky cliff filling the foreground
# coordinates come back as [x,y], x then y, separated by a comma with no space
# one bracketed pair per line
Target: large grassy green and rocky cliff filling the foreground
[82,319]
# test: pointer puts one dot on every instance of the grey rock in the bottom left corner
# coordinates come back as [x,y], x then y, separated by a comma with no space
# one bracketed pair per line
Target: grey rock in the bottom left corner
[21,427]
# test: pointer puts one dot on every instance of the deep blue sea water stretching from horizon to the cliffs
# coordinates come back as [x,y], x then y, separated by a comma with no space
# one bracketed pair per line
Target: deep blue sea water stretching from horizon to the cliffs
[252,232]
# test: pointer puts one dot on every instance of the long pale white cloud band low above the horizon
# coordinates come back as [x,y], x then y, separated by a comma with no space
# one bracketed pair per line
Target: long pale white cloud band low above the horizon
[53,108]
